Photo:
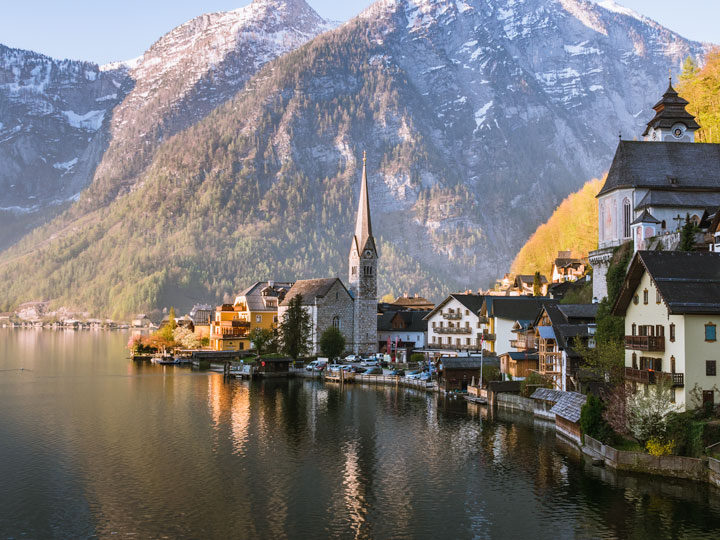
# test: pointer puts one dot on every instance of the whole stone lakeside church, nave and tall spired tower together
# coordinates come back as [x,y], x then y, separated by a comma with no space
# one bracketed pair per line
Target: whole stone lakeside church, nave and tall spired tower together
[352,309]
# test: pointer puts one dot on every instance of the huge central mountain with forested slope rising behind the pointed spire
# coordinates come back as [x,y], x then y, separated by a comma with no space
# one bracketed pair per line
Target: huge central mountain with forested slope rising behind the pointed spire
[478,118]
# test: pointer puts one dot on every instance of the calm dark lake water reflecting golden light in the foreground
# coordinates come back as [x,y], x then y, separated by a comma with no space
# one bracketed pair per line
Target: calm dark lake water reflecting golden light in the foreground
[93,445]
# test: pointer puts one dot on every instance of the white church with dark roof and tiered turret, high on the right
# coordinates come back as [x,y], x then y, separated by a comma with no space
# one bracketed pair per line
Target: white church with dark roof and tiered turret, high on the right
[653,184]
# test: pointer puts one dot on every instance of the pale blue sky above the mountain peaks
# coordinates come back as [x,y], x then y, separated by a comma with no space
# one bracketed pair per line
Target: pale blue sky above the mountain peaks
[103,31]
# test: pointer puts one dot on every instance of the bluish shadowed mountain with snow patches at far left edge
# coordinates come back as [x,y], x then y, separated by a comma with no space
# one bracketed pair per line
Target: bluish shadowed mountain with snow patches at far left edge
[53,117]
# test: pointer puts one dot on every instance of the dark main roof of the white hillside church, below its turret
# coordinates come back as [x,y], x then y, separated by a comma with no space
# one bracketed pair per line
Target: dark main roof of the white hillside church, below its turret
[671,166]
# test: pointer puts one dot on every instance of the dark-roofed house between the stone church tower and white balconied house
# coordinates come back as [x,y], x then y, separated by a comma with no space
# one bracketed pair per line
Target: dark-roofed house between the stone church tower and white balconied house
[402,332]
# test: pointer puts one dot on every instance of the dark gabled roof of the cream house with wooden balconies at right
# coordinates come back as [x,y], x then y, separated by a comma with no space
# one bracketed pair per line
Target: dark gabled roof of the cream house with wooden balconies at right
[688,282]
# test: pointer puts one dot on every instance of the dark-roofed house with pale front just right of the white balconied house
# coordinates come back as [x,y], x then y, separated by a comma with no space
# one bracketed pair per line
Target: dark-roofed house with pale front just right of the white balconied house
[499,315]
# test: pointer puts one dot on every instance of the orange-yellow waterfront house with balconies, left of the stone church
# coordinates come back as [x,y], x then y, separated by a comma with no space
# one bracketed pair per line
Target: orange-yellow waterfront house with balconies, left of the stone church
[255,307]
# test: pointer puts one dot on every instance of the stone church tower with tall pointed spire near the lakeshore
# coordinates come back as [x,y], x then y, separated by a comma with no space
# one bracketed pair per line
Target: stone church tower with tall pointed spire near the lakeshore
[363,275]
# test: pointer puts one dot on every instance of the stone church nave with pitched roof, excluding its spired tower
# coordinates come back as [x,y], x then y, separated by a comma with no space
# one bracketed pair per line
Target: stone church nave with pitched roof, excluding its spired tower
[328,303]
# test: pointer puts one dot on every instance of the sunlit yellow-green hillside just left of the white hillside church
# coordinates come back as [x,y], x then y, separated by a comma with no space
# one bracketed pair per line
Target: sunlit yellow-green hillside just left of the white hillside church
[572,227]
